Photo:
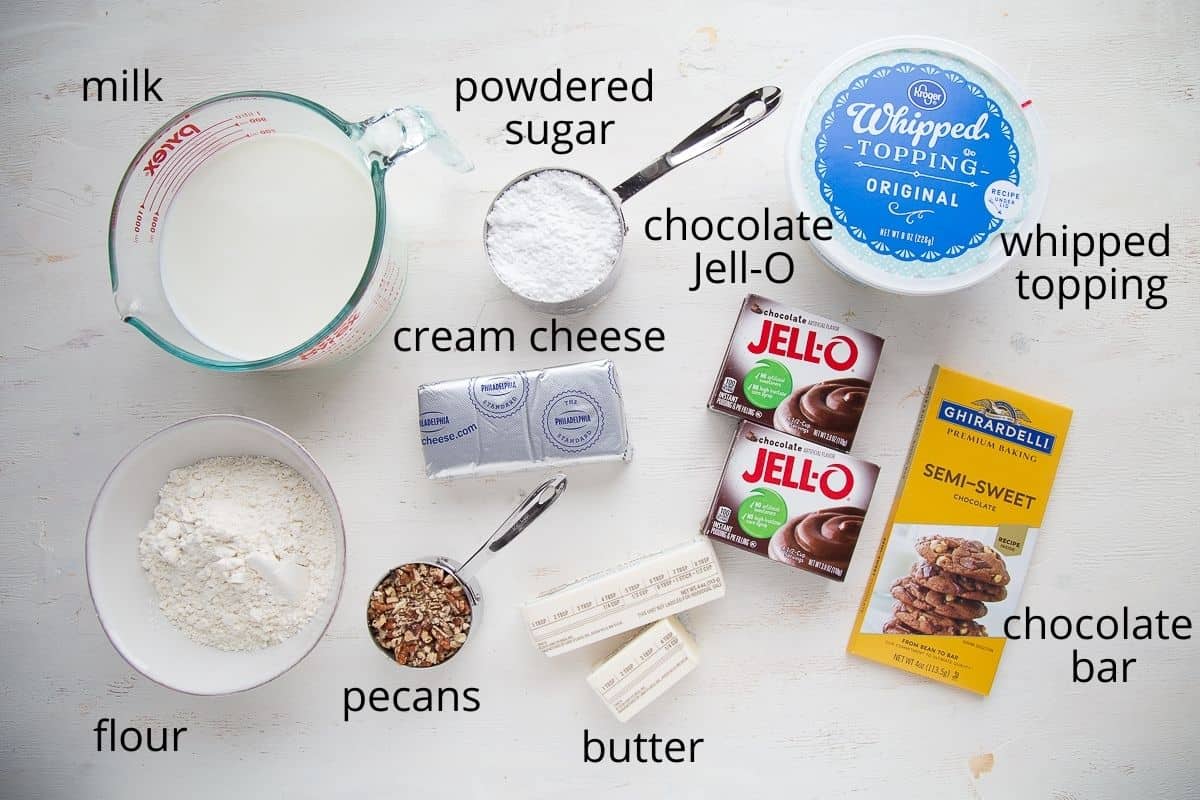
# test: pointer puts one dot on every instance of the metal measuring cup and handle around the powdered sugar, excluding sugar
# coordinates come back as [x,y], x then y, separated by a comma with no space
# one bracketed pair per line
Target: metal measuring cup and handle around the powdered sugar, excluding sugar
[741,116]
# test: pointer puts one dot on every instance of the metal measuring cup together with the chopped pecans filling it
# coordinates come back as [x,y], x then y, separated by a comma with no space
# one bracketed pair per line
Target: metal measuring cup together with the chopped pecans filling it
[422,613]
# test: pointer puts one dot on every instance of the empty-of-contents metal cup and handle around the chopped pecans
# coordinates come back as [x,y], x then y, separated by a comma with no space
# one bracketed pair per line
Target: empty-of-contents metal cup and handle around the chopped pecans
[464,575]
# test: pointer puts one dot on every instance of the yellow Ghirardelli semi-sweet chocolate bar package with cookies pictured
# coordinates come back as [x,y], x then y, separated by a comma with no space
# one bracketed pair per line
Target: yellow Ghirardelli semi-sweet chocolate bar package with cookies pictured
[962,536]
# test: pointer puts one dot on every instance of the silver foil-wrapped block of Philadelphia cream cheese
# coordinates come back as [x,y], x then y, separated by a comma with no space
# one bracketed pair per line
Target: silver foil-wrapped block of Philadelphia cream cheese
[524,420]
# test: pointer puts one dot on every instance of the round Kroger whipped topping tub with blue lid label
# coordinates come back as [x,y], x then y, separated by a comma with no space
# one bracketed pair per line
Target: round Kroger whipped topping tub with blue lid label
[923,153]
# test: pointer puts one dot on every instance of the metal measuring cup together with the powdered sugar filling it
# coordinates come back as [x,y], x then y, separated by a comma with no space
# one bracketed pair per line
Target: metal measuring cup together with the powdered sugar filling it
[554,237]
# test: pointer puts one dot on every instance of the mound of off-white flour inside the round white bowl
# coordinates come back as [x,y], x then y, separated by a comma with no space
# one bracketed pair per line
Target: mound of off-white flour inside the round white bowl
[217,524]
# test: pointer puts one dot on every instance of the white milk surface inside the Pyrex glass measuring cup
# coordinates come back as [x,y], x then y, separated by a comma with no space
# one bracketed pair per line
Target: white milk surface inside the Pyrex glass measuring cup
[266,243]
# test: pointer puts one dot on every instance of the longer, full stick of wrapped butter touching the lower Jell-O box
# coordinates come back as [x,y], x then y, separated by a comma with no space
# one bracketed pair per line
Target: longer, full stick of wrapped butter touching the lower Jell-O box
[627,597]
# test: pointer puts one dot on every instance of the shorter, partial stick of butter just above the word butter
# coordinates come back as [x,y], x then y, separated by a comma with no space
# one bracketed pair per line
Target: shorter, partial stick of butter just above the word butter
[644,670]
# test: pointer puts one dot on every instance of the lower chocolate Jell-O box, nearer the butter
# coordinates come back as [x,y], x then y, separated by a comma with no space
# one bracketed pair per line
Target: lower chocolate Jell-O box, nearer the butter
[791,501]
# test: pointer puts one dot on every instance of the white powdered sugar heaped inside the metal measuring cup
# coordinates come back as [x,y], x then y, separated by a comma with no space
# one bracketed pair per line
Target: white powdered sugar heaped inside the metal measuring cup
[554,237]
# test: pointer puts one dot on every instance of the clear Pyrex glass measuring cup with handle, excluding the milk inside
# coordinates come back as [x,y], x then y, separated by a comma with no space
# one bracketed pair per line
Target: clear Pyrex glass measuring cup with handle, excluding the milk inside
[171,157]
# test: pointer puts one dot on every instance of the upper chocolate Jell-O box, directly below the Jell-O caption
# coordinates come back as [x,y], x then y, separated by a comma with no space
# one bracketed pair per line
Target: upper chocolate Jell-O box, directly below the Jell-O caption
[796,372]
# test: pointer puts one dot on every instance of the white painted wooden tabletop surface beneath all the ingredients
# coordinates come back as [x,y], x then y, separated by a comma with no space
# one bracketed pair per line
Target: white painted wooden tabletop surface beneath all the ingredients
[778,702]
